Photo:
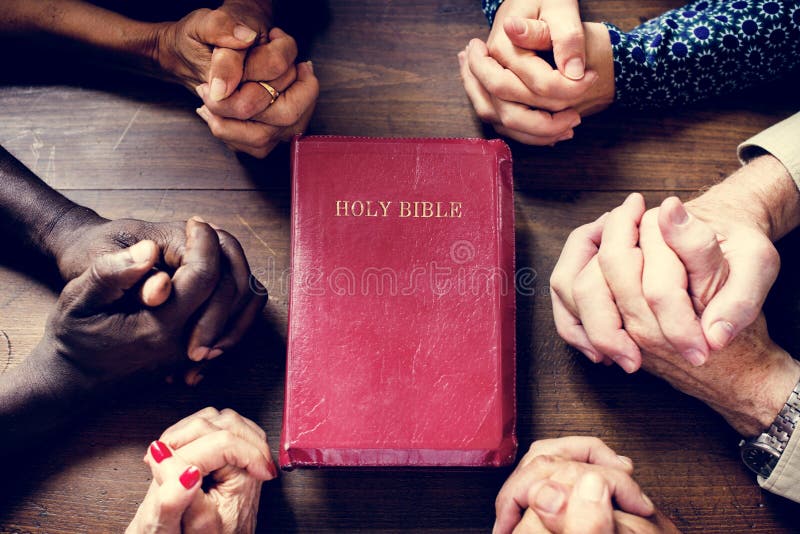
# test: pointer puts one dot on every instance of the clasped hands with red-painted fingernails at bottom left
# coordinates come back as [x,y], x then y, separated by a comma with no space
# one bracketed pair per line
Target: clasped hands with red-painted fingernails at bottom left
[231,451]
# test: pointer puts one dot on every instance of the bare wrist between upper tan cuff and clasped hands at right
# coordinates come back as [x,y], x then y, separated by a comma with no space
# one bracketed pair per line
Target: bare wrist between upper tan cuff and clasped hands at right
[762,191]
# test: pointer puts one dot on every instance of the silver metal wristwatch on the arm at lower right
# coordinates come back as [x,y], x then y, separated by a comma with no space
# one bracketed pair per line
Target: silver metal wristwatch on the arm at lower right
[761,453]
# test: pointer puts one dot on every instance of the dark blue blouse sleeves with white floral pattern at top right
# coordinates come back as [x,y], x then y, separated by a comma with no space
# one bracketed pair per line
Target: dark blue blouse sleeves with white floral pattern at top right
[704,49]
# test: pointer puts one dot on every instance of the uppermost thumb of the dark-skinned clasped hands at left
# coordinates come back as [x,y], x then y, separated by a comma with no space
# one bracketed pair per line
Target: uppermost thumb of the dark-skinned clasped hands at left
[110,276]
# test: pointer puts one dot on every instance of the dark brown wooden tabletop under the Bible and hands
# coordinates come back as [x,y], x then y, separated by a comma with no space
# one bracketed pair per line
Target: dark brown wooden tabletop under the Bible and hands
[135,148]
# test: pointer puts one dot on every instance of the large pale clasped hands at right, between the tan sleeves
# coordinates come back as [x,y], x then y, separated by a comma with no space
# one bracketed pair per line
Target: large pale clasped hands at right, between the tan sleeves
[640,280]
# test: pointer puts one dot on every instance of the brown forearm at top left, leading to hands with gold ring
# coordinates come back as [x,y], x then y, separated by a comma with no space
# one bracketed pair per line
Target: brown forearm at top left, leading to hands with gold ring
[133,43]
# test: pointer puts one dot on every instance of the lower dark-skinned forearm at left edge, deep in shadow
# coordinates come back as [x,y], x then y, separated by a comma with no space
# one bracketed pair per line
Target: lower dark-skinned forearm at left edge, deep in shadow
[37,397]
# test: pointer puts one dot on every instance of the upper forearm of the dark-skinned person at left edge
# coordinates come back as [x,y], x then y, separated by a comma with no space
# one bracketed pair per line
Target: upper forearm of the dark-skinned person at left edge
[34,215]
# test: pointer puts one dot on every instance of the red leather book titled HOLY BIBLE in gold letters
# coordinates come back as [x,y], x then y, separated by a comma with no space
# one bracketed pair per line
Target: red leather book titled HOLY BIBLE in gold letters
[401,313]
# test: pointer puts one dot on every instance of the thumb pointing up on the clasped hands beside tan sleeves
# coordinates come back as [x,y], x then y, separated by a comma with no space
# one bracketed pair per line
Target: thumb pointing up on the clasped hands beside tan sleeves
[696,245]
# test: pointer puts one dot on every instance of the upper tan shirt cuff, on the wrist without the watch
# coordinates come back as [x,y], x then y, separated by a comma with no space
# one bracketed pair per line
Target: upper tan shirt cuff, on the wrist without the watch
[782,141]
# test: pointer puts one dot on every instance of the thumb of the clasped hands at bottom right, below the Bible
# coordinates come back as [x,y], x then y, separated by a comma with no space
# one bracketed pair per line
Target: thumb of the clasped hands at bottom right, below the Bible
[589,510]
